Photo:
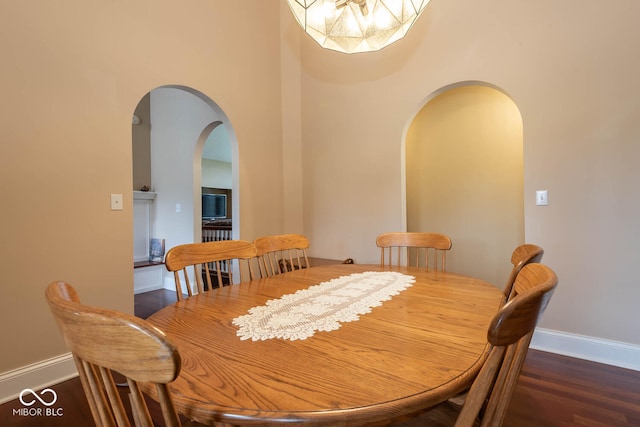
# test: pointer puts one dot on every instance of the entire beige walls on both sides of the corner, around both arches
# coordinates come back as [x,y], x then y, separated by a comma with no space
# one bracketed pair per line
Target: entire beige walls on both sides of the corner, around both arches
[74,71]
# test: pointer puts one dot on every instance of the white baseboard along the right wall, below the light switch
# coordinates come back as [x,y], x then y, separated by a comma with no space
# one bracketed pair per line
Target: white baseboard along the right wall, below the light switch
[615,353]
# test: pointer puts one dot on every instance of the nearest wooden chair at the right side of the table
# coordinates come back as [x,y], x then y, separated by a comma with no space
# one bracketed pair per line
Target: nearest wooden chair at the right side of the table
[509,335]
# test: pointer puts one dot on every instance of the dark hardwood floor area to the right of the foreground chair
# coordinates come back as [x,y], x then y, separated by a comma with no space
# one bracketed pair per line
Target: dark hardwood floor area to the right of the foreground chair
[561,391]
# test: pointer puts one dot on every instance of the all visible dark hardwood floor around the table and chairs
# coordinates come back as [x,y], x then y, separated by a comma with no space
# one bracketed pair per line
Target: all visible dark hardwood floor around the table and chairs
[553,391]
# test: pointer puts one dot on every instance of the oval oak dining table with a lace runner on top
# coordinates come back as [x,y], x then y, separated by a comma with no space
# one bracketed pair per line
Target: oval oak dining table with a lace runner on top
[412,351]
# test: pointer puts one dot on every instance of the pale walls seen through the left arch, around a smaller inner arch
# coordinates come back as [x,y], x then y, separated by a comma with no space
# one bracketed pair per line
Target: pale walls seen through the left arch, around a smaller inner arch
[178,120]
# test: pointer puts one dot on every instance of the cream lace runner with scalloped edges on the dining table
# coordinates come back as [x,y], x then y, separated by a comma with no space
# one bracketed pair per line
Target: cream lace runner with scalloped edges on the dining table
[321,307]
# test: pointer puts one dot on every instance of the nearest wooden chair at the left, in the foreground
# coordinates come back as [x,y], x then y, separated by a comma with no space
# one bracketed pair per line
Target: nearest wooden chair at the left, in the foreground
[104,341]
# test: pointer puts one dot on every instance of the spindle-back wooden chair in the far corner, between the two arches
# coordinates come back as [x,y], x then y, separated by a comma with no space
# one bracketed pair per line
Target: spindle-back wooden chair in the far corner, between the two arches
[281,253]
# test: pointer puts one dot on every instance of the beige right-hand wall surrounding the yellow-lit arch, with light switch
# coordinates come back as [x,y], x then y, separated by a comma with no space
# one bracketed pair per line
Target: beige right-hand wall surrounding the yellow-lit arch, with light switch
[570,68]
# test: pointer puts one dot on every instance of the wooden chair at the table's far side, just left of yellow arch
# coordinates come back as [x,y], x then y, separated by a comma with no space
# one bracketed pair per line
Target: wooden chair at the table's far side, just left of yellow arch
[427,250]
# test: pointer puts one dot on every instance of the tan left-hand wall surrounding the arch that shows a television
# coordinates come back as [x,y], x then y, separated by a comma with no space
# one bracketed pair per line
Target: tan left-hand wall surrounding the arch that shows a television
[73,72]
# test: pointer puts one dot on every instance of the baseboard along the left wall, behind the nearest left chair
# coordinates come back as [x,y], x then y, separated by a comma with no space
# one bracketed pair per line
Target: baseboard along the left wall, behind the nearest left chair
[36,376]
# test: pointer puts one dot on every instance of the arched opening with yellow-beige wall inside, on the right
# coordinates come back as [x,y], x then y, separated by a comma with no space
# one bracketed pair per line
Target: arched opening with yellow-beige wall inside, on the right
[464,177]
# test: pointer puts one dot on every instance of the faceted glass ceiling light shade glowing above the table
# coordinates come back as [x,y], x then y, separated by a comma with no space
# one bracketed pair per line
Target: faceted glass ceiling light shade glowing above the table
[353,26]
